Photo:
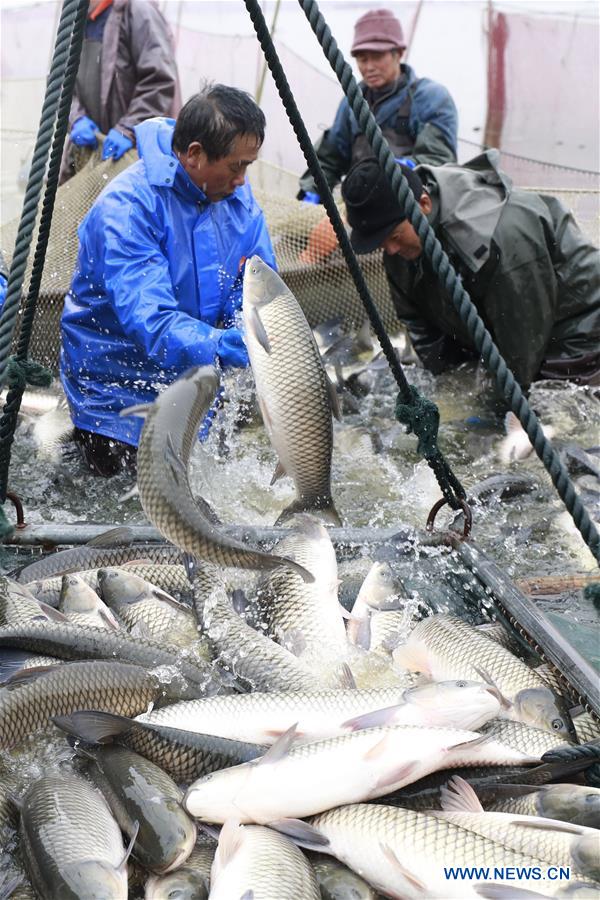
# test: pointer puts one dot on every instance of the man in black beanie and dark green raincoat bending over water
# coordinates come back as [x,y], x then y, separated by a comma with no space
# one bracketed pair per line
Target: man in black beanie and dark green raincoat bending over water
[533,276]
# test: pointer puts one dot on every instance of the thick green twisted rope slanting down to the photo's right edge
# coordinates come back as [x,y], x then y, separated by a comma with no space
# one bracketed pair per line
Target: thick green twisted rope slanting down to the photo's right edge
[448,278]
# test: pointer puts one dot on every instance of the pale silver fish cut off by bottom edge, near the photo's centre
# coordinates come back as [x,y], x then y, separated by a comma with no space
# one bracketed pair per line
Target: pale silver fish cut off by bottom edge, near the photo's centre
[256,862]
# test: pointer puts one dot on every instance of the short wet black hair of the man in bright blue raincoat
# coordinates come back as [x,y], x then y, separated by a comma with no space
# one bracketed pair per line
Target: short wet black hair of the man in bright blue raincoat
[215,117]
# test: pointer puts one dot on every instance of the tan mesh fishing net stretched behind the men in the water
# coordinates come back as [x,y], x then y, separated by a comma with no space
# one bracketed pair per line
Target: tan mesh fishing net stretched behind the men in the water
[322,284]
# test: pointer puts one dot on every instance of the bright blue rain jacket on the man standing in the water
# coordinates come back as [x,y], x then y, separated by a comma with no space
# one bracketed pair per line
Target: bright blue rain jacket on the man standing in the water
[159,272]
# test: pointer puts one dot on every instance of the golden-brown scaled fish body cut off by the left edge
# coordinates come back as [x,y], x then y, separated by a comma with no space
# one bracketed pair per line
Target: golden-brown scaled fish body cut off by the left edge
[110,686]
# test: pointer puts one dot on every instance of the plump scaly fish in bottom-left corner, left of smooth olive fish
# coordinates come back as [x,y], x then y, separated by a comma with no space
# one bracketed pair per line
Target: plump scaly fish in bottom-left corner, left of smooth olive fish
[66,824]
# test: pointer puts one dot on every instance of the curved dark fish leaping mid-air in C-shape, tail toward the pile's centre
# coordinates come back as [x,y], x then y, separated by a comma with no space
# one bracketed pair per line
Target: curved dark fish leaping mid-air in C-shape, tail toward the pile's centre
[170,431]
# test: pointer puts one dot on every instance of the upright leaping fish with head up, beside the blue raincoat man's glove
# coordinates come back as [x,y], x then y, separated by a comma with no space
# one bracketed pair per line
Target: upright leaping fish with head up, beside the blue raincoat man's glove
[295,396]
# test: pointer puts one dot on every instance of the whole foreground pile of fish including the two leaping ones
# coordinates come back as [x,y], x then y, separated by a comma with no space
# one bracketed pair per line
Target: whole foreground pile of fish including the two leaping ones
[270,744]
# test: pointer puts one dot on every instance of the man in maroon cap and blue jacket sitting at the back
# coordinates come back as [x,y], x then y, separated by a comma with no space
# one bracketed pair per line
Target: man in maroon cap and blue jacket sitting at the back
[417,116]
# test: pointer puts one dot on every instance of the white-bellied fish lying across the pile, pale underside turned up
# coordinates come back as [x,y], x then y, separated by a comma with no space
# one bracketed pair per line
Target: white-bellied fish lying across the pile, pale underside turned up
[303,780]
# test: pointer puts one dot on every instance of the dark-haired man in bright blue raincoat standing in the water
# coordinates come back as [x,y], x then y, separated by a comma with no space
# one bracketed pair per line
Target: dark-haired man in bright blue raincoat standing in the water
[159,273]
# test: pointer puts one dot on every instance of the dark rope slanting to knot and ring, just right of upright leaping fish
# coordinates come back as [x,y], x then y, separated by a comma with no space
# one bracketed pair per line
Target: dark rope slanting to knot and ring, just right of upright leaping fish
[418,418]
